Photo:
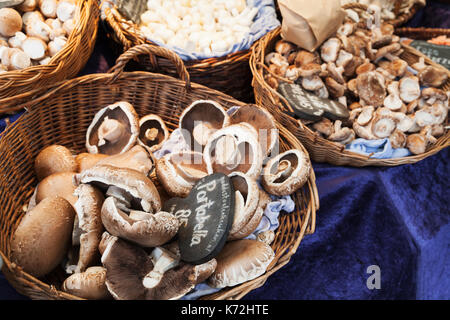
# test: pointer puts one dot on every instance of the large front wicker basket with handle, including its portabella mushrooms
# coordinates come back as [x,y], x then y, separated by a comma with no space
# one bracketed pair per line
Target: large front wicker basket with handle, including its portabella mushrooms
[136,185]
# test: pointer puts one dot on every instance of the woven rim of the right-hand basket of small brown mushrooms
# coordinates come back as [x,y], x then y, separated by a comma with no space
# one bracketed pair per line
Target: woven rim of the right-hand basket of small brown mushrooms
[353,158]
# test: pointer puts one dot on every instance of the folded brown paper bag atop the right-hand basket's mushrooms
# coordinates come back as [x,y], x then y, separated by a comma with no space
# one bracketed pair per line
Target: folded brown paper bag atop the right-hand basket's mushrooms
[308,23]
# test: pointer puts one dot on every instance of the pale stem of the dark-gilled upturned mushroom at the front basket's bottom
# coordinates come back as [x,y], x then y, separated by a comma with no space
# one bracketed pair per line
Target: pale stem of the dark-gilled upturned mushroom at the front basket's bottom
[163,260]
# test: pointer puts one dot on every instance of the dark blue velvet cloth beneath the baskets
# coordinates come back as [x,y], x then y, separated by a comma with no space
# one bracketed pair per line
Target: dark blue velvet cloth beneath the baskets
[396,218]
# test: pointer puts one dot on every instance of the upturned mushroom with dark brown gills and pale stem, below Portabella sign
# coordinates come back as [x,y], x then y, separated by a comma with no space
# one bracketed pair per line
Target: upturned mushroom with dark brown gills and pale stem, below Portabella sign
[133,274]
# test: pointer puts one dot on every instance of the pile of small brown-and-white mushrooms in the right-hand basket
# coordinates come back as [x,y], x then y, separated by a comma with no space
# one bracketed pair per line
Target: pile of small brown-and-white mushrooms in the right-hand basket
[360,66]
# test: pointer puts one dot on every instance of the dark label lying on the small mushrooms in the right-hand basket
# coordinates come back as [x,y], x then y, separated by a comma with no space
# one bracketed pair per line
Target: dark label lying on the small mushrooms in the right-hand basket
[309,106]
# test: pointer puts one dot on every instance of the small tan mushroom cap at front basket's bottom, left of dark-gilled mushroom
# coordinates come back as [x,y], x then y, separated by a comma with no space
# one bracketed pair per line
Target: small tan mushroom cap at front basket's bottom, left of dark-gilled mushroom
[89,284]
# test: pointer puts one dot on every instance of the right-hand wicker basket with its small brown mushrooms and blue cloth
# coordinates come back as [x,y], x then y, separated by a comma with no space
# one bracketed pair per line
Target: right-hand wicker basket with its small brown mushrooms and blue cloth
[362,98]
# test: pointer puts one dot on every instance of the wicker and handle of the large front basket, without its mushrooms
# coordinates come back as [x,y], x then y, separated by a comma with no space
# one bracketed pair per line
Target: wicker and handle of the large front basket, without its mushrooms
[62,115]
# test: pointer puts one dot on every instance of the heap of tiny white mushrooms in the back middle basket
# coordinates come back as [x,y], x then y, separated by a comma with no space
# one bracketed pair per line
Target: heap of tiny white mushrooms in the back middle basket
[197,25]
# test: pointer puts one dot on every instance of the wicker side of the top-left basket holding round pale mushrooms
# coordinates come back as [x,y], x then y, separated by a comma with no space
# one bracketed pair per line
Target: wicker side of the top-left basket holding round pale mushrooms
[21,85]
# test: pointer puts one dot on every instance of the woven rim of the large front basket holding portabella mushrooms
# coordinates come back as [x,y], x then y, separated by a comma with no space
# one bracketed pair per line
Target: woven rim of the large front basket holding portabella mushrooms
[282,257]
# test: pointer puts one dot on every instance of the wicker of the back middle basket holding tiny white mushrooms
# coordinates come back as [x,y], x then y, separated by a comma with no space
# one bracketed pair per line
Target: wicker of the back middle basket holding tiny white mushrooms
[229,74]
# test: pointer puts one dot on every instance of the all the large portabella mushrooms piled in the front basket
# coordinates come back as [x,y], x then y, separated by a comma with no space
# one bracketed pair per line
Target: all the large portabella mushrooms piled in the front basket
[98,214]
